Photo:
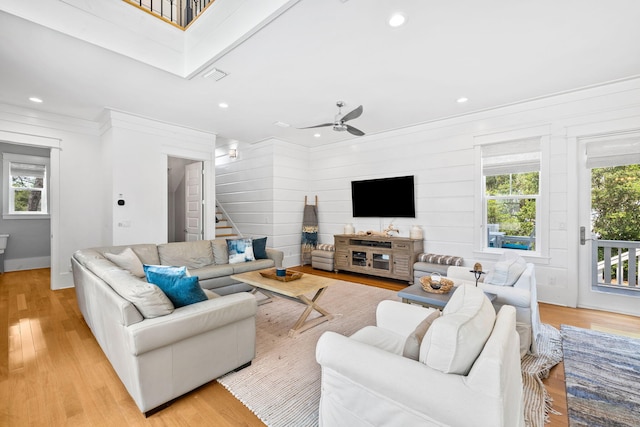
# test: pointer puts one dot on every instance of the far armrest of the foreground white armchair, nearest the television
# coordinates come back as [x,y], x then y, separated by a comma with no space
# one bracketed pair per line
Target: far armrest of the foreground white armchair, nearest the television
[399,317]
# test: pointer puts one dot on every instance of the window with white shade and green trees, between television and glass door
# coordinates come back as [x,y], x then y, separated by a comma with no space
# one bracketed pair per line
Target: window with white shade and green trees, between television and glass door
[511,193]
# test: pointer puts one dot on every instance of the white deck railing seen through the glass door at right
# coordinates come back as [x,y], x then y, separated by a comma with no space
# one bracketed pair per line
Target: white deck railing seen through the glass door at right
[619,266]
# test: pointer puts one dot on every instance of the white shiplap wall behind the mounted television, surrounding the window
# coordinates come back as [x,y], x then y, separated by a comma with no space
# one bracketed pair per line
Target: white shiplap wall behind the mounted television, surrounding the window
[442,157]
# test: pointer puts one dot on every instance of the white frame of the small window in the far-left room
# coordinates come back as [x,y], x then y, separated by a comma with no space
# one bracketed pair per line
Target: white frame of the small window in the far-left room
[8,191]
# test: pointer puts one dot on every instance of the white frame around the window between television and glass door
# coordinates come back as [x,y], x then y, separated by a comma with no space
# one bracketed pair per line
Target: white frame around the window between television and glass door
[541,134]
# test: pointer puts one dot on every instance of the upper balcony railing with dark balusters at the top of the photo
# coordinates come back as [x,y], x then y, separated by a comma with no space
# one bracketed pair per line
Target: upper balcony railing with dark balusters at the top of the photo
[178,12]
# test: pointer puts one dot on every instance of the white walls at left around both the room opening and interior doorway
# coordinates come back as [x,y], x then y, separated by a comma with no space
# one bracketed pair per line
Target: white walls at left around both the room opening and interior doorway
[97,161]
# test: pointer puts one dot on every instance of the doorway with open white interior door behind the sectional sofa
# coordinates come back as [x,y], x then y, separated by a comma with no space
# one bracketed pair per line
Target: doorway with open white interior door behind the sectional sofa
[185,200]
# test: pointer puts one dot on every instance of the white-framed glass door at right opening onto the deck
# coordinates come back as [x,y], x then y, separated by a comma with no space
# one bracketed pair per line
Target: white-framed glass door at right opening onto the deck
[608,227]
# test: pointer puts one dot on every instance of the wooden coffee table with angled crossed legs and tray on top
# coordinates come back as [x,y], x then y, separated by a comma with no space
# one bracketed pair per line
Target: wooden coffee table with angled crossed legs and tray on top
[294,290]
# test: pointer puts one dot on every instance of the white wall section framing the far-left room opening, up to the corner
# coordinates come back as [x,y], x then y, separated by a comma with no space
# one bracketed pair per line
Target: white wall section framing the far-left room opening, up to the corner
[76,213]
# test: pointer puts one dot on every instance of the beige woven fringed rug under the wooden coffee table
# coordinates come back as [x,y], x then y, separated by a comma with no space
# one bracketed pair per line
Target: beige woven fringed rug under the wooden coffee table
[282,386]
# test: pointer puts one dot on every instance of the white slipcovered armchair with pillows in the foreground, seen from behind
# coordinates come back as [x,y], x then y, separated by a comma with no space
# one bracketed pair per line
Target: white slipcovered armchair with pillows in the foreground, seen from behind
[365,385]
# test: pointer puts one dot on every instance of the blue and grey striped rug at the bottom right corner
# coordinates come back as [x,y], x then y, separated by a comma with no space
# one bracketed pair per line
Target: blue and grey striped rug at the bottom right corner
[602,372]
